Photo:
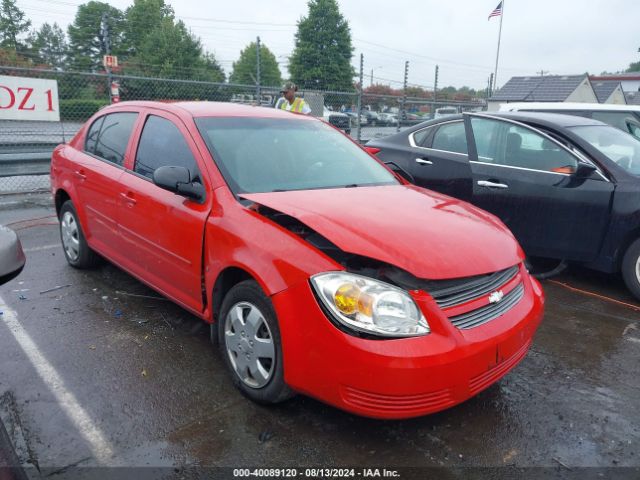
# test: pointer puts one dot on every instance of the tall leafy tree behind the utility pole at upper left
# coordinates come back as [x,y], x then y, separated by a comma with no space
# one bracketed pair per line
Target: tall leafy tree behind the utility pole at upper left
[87,44]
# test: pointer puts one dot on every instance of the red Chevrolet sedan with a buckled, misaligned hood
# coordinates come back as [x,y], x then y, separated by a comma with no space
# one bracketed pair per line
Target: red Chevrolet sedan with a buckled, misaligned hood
[319,270]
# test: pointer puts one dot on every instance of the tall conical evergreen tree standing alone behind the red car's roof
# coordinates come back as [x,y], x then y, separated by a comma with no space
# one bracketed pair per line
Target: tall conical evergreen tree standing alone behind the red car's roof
[322,55]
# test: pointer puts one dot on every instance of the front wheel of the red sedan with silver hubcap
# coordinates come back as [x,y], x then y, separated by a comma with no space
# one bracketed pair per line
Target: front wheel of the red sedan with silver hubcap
[249,340]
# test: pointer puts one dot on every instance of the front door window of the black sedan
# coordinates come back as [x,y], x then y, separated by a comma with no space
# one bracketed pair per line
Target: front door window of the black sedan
[503,143]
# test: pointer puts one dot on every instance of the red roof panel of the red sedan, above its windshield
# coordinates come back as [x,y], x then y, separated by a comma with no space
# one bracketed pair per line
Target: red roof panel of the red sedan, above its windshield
[211,109]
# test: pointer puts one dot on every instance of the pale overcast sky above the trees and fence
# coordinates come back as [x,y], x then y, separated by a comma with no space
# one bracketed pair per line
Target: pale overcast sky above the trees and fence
[556,37]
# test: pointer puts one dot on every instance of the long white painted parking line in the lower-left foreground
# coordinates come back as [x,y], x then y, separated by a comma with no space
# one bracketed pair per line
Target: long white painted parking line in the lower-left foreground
[100,447]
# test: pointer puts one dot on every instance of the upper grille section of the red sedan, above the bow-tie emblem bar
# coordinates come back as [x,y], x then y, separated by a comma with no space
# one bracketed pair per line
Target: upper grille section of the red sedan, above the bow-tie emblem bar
[472,288]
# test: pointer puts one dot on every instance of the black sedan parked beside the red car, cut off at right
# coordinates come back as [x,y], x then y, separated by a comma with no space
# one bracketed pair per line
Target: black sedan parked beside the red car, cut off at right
[568,187]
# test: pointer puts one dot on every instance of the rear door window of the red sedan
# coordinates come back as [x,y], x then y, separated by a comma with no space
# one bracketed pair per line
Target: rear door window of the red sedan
[113,138]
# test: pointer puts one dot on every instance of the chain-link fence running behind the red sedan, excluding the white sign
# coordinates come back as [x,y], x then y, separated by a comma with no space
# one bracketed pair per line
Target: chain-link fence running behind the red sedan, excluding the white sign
[26,146]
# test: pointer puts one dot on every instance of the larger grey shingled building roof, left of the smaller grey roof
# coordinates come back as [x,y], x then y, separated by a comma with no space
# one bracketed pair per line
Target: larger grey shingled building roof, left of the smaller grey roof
[550,88]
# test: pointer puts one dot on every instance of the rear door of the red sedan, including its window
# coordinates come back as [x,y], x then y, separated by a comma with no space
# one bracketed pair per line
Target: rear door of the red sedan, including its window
[97,173]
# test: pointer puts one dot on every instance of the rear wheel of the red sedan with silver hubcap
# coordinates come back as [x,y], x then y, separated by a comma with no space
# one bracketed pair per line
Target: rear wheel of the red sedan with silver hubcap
[75,247]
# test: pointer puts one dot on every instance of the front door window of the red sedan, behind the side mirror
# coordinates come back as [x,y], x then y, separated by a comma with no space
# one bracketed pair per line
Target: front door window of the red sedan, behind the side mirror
[162,144]
